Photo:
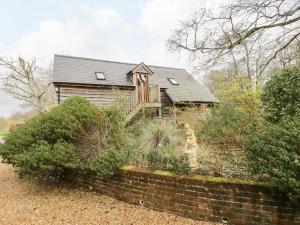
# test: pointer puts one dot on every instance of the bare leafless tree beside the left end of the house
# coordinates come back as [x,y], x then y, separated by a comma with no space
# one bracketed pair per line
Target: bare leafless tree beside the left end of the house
[27,82]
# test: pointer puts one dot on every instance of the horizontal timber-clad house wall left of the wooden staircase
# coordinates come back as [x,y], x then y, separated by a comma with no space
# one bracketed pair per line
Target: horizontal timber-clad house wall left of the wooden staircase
[100,96]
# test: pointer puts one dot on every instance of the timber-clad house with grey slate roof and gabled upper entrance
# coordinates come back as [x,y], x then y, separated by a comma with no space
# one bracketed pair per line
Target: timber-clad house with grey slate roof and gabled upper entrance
[100,81]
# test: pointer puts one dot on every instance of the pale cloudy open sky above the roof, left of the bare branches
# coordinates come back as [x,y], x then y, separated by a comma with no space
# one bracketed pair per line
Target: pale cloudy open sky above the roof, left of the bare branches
[121,30]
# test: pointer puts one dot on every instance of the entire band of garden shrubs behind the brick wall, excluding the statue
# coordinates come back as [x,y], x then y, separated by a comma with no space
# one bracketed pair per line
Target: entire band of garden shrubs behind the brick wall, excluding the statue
[241,137]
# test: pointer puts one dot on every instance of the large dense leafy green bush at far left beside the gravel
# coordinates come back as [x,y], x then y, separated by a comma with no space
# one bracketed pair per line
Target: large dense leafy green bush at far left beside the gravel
[46,144]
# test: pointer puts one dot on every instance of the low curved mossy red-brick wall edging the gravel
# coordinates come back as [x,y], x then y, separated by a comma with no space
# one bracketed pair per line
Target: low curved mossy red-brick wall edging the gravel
[197,197]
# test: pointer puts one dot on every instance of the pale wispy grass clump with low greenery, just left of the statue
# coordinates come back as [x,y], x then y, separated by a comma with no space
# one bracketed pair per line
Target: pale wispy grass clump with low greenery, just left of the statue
[159,145]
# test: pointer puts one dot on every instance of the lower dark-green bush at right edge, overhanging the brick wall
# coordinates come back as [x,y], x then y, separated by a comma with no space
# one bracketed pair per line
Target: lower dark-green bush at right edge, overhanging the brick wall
[273,154]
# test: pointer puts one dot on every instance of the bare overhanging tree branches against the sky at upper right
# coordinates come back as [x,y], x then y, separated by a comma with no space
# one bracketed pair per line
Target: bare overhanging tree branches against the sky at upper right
[249,33]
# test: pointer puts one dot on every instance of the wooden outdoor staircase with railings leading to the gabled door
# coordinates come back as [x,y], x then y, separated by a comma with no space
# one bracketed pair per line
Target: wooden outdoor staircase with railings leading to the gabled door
[139,102]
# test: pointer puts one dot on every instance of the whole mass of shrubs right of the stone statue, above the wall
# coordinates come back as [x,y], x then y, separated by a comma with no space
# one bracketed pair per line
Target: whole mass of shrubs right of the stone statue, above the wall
[252,140]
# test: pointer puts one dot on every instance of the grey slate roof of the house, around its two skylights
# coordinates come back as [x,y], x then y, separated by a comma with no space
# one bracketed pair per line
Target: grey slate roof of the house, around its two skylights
[69,69]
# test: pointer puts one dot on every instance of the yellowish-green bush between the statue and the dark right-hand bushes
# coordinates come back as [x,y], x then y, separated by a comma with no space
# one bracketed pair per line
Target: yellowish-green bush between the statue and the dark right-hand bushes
[226,124]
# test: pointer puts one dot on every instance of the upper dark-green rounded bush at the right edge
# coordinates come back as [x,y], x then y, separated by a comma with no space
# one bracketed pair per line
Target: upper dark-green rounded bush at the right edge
[281,95]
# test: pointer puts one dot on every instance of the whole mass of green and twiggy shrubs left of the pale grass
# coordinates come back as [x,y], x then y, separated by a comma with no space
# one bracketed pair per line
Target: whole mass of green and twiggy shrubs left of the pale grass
[73,135]
